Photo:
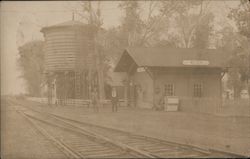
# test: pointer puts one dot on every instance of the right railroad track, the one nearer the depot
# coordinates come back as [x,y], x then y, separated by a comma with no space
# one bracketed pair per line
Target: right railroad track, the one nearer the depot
[143,145]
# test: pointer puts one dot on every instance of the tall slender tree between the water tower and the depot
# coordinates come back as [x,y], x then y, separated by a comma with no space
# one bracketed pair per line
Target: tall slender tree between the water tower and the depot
[93,18]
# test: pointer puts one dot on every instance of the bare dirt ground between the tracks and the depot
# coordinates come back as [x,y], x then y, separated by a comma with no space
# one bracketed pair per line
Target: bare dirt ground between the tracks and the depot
[226,133]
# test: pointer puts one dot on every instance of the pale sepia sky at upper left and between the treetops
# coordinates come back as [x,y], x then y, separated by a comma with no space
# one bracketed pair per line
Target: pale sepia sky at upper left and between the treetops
[28,17]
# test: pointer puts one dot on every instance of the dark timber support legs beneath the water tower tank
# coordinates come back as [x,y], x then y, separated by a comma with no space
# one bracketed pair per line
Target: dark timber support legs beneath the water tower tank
[65,85]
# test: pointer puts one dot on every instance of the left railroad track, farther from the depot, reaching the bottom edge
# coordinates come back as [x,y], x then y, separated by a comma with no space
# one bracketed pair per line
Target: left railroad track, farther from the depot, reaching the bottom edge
[77,143]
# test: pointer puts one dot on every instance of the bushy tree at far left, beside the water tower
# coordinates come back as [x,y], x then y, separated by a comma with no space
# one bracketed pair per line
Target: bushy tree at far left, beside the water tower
[31,62]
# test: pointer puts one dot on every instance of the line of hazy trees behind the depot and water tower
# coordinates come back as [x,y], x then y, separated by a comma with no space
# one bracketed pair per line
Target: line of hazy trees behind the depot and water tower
[178,24]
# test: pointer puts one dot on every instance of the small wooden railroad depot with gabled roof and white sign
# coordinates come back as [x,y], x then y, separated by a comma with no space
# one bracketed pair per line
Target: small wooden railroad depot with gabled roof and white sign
[193,76]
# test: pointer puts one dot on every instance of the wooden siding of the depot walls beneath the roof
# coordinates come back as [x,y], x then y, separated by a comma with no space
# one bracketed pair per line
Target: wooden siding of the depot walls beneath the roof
[183,81]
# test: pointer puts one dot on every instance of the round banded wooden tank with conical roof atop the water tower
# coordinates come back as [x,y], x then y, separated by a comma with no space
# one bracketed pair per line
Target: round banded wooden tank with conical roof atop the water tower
[67,46]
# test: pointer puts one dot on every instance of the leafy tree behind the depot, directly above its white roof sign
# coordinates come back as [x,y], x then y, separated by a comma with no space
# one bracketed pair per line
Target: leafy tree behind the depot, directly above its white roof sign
[194,23]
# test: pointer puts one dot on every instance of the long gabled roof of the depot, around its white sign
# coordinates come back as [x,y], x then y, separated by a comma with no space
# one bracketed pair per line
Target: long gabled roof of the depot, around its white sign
[170,57]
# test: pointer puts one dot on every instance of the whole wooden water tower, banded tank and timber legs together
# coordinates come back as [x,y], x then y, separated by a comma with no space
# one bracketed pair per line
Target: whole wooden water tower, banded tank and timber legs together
[68,58]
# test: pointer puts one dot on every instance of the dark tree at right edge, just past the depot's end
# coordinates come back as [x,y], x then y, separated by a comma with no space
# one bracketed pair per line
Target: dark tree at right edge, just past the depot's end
[236,45]
